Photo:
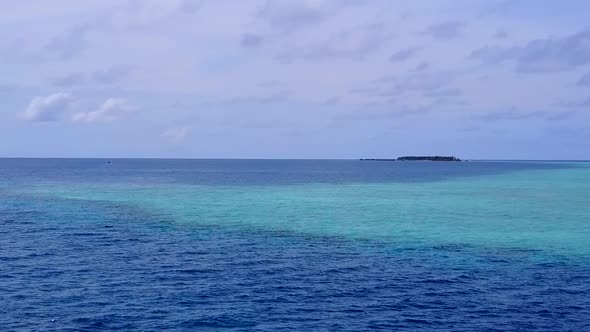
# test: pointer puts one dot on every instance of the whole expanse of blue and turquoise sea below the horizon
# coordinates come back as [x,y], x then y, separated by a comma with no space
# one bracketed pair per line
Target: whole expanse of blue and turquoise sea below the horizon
[300,245]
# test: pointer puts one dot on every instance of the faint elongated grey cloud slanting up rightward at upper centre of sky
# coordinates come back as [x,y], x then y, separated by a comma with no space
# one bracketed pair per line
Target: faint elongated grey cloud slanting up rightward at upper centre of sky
[352,44]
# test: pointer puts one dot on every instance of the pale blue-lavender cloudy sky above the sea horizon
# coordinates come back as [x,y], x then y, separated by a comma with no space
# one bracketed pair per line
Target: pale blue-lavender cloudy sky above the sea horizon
[477,79]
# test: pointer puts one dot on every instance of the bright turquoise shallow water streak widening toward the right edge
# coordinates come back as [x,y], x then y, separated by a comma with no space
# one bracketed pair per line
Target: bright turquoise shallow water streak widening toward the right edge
[546,210]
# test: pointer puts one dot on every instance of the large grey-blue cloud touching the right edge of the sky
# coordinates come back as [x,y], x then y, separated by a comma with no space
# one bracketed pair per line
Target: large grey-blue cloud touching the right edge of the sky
[541,55]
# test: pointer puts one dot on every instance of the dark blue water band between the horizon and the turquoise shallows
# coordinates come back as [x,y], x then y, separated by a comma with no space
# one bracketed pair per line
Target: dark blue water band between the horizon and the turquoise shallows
[248,172]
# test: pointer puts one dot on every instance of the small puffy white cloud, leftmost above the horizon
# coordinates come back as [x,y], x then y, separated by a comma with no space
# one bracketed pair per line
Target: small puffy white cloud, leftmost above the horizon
[46,109]
